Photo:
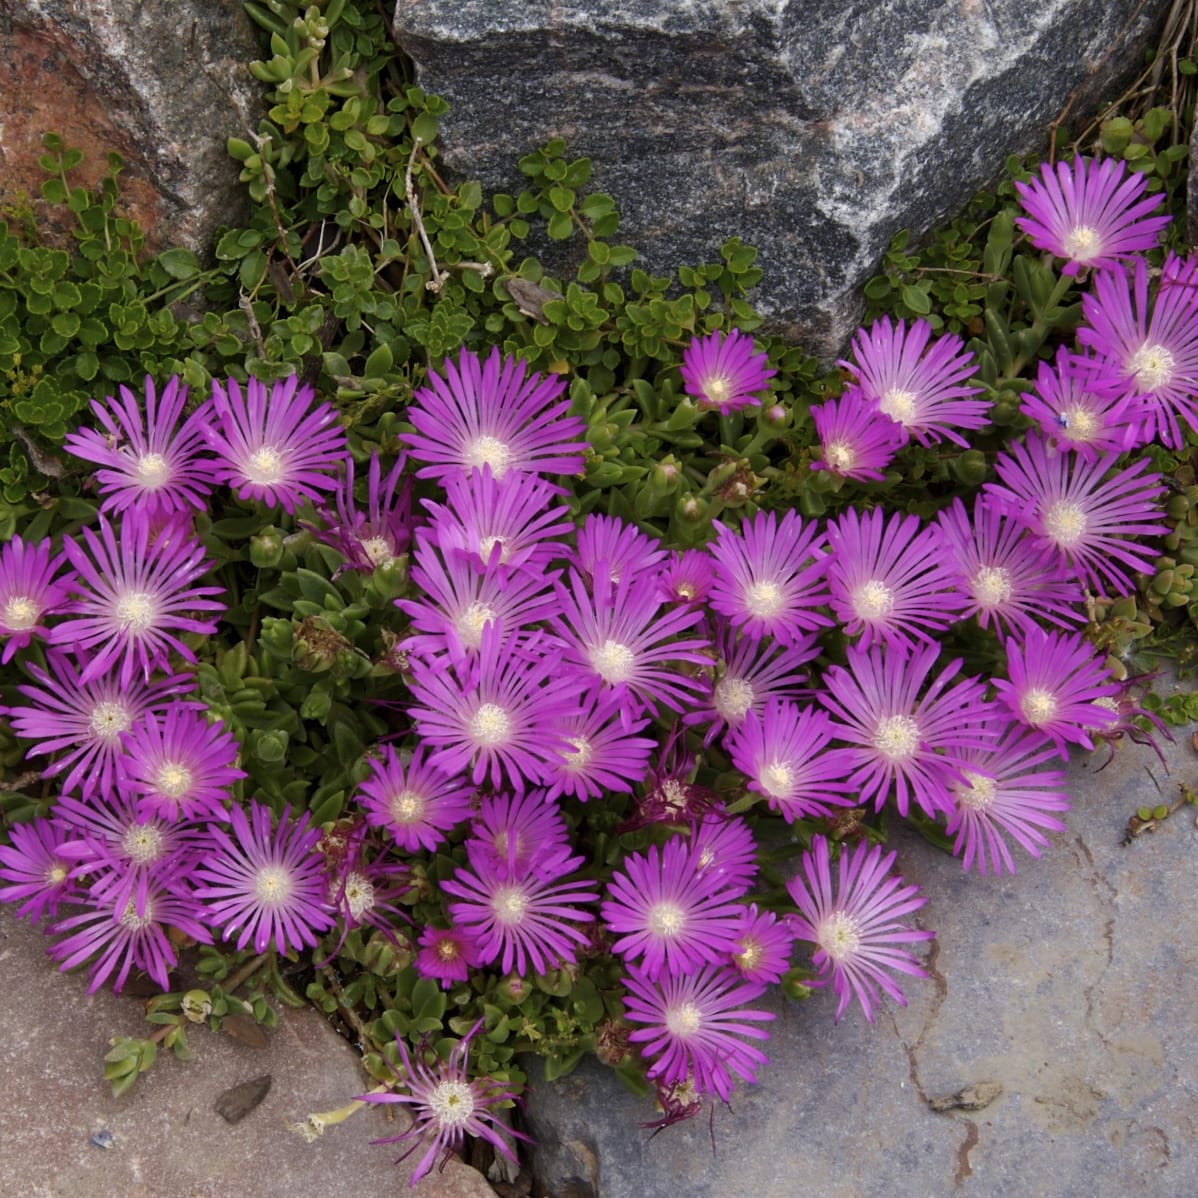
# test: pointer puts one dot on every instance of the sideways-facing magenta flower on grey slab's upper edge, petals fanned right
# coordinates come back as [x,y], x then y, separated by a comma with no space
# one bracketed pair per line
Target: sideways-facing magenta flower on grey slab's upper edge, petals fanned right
[1003,791]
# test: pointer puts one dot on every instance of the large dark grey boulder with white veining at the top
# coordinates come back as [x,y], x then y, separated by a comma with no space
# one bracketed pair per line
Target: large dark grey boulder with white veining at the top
[813,131]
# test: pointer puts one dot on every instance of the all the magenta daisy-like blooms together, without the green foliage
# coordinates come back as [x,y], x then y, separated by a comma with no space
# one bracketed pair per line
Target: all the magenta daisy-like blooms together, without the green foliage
[550,659]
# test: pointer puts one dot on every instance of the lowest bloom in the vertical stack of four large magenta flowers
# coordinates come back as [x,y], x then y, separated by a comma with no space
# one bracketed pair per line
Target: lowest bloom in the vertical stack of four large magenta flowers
[488,716]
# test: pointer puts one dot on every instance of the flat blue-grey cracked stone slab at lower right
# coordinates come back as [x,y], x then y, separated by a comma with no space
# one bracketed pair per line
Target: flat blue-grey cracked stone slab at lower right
[1070,987]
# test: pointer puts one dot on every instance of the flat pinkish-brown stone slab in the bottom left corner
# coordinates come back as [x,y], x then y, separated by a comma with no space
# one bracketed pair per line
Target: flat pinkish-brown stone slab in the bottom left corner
[167,1140]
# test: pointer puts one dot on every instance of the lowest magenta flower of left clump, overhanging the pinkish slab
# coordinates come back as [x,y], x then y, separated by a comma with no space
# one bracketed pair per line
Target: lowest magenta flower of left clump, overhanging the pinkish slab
[120,939]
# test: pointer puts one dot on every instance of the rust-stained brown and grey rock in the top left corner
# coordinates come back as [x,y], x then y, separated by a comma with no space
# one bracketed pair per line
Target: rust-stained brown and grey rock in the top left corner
[161,82]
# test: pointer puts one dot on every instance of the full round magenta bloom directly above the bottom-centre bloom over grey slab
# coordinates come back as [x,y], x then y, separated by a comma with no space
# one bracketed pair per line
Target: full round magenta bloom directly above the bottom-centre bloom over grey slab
[667,915]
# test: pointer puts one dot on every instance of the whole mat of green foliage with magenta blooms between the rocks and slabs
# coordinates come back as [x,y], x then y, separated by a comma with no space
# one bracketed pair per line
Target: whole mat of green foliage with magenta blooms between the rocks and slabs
[522,665]
